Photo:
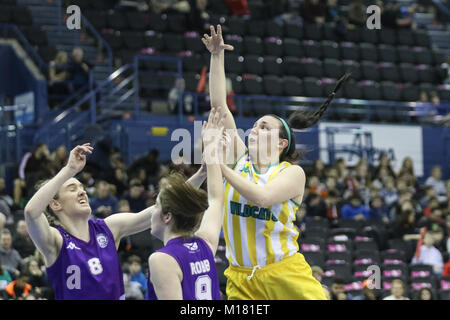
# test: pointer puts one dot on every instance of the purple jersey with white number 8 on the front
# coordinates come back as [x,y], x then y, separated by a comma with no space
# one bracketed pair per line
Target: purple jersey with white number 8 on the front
[88,270]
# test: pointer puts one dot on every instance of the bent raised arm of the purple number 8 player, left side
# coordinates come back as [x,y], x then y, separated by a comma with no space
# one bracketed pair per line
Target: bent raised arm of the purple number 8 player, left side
[40,231]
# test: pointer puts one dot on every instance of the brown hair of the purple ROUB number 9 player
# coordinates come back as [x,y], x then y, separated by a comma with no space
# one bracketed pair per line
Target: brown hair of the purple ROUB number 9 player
[184,202]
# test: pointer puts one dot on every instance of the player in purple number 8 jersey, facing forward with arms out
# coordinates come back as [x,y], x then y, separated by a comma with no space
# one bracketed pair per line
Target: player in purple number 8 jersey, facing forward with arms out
[80,254]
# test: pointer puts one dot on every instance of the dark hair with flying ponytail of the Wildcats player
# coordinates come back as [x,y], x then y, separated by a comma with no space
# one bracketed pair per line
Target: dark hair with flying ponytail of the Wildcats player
[303,120]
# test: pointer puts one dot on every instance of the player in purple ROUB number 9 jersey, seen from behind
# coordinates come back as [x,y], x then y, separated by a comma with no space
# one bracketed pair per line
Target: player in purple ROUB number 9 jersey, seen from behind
[184,268]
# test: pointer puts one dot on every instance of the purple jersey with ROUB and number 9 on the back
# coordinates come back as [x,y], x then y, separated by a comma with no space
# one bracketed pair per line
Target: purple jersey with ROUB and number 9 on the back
[196,260]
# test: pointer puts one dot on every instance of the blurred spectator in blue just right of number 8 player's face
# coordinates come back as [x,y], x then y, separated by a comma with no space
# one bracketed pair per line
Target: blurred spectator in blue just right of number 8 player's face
[103,204]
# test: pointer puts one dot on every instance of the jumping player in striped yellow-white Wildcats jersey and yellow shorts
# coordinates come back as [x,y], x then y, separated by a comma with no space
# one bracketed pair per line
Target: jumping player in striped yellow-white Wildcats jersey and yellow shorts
[262,193]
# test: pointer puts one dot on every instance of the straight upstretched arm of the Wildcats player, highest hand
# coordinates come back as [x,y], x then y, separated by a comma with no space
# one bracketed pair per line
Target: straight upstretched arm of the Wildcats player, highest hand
[217,83]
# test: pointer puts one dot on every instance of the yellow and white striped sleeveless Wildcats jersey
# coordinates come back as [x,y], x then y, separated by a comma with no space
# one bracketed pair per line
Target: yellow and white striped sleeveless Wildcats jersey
[254,235]
